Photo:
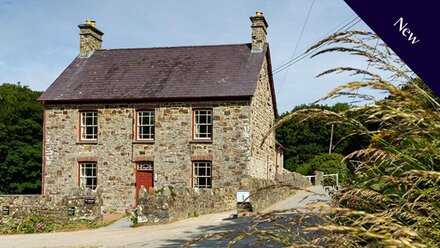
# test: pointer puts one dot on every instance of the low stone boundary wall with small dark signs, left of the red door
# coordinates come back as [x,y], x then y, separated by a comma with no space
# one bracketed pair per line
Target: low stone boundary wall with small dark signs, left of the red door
[52,209]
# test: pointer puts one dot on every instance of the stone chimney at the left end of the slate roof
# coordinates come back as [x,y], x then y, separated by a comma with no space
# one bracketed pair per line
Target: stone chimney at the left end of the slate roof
[90,38]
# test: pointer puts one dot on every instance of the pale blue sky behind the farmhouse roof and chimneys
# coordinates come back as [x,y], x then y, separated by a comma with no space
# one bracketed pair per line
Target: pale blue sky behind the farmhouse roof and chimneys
[40,38]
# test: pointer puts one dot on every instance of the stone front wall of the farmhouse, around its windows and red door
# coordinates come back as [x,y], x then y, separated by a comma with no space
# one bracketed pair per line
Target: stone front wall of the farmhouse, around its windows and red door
[116,151]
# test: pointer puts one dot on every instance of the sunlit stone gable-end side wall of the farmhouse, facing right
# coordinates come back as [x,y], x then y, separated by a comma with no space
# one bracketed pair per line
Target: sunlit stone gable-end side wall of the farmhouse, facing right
[263,158]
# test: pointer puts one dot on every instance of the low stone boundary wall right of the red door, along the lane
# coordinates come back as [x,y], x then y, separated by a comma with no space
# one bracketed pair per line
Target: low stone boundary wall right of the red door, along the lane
[170,204]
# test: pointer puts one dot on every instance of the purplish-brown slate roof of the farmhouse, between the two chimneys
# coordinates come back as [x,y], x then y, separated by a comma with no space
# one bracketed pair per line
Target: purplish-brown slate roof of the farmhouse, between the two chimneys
[189,72]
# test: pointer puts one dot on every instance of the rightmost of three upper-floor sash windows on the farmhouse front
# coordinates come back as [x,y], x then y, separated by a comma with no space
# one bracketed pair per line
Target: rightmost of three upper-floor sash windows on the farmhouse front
[202,124]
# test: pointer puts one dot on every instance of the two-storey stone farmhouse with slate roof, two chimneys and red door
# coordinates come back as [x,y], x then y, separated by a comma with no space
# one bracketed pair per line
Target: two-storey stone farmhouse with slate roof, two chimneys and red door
[188,116]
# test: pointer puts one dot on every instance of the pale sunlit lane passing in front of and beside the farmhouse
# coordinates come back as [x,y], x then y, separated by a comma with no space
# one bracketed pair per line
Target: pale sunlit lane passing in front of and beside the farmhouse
[166,235]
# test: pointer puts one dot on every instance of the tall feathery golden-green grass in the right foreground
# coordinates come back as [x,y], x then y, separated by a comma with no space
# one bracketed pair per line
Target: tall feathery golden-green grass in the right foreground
[394,198]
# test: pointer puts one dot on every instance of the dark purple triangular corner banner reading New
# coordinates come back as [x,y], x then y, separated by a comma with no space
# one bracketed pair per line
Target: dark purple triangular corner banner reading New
[411,29]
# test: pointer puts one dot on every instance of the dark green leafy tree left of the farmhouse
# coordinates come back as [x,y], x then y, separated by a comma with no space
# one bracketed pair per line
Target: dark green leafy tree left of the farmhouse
[21,119]
